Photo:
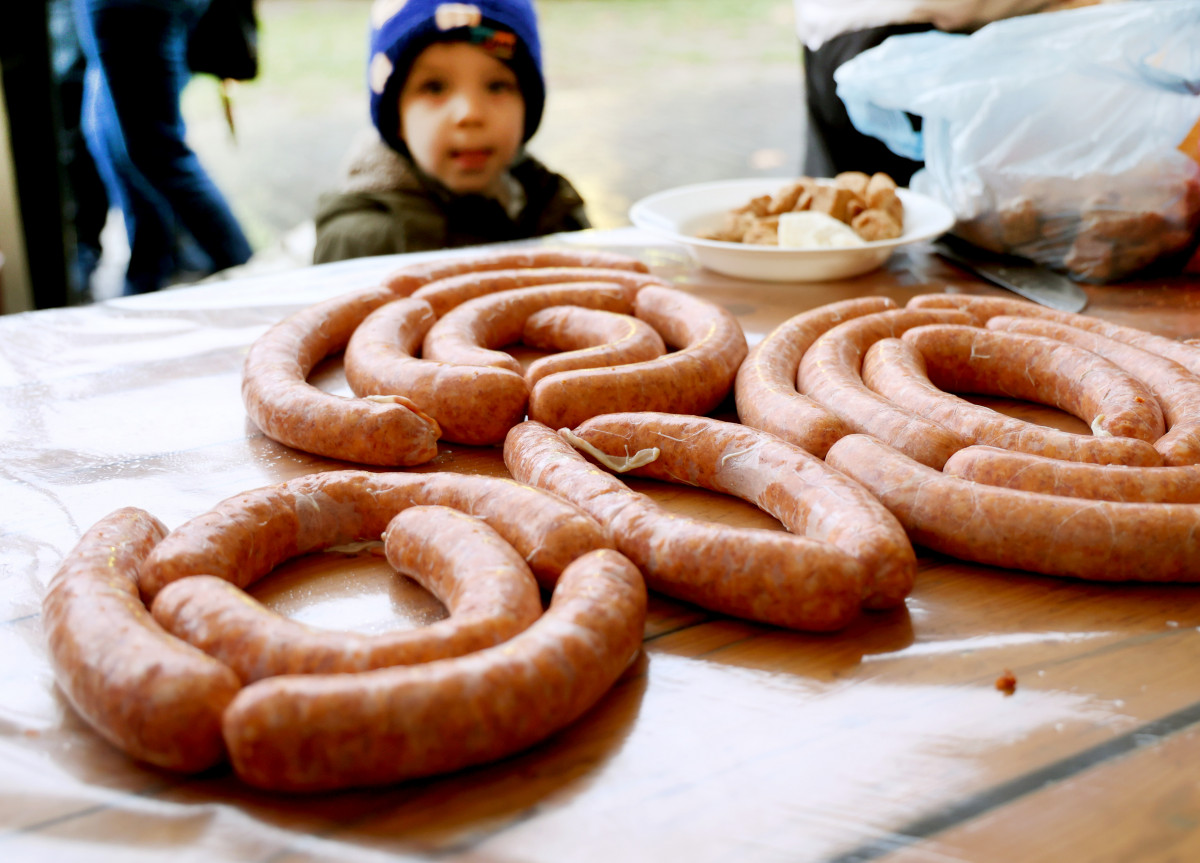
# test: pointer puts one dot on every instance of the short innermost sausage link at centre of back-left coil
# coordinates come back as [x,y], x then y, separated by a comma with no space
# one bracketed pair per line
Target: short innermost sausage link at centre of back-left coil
[587,339]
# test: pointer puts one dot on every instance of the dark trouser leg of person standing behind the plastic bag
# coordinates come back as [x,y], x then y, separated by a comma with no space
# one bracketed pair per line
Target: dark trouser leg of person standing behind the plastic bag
[832,143]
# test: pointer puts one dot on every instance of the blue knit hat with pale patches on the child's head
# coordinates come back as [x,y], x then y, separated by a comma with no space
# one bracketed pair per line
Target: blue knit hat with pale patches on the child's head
[401,29]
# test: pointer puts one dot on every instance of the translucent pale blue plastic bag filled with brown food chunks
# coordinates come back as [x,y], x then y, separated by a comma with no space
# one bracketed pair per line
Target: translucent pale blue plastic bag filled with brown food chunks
[1065,137]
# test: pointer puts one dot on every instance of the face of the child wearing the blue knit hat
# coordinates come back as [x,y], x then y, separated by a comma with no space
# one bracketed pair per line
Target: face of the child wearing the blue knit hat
[463,116]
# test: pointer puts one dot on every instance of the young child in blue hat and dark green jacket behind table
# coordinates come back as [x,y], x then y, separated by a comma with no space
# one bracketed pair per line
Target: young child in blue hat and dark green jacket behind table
[457,91]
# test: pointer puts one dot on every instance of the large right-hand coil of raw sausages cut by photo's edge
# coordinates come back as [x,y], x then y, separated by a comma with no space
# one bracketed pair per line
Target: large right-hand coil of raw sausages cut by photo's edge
[890,377]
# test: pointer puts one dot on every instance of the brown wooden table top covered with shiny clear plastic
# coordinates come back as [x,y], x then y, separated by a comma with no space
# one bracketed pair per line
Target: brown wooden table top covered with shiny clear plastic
[725,741]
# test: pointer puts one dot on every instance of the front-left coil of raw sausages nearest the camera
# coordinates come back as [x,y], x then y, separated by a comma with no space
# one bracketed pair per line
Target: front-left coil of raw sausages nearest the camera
[526,674]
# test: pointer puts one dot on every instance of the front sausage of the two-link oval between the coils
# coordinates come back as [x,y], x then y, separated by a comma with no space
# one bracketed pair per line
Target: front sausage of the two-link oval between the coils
[764,576]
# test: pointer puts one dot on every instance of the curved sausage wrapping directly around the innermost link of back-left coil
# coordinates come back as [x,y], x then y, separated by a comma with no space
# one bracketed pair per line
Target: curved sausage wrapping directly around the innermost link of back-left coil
[470,333]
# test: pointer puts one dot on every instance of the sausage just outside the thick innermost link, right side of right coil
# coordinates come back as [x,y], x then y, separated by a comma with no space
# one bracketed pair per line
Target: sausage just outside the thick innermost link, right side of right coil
[1177,389]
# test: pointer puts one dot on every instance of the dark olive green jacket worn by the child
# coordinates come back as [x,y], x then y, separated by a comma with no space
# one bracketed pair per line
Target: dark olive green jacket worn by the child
[387,207]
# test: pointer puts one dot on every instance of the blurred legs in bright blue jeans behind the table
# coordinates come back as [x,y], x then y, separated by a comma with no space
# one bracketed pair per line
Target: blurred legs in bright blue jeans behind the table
[176,218]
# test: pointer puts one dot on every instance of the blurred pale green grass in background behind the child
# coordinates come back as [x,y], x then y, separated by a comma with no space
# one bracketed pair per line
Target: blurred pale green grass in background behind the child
[314,52]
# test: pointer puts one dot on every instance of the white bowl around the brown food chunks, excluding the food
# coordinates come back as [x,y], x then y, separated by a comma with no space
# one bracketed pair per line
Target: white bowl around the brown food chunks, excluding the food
[681,214]
